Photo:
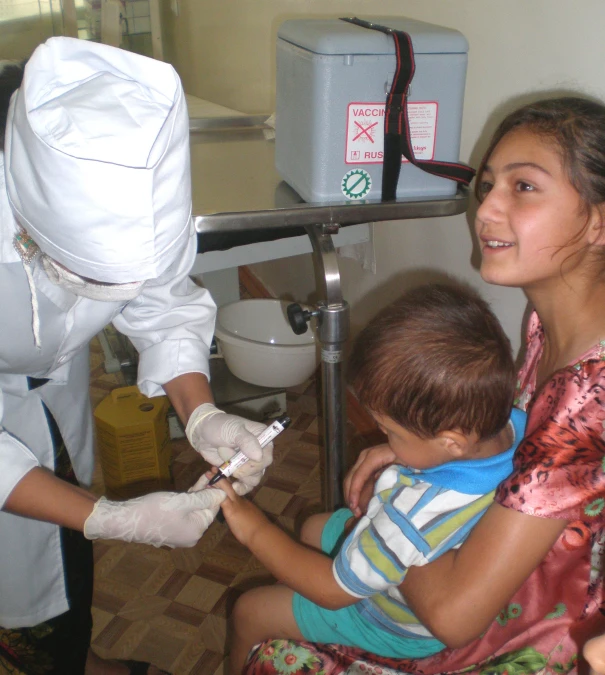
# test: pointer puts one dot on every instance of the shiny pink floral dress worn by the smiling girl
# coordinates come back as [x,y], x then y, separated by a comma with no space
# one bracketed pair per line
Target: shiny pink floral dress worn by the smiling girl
[559,472]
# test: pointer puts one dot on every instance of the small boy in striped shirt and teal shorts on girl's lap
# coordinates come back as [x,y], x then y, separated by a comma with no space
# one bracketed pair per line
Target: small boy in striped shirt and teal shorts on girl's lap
[435,370]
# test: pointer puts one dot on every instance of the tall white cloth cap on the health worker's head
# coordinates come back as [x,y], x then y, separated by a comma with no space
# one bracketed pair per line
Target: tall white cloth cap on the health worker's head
[97,160]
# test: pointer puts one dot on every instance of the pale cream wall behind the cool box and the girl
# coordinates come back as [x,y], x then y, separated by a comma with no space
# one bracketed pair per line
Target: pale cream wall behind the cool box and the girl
[225,52]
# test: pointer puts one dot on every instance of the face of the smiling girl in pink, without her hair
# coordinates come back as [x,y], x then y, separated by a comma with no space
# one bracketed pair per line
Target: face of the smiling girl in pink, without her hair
[531,217]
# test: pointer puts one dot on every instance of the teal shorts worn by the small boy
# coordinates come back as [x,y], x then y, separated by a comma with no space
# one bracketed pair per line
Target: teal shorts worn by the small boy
[346,626]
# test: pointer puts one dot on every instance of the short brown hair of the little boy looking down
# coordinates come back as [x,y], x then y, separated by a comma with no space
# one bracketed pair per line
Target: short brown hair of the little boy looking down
[436,359]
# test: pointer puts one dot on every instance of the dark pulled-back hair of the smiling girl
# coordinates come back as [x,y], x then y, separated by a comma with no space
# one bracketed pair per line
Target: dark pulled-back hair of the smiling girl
[576,126]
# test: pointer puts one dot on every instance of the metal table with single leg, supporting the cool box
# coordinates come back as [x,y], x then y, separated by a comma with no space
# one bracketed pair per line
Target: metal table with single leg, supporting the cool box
[236,189]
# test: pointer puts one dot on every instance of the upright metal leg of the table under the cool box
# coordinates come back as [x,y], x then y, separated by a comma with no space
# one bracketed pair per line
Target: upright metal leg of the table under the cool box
[333,331]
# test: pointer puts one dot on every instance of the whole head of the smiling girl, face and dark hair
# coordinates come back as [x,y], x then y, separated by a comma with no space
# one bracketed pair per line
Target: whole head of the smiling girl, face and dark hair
[541,188]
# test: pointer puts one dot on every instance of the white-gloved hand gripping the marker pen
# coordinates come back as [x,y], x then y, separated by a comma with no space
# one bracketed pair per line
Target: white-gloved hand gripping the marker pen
[217,436]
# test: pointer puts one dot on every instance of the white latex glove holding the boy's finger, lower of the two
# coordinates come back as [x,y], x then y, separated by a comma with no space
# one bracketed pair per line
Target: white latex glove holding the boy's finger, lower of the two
[170,519]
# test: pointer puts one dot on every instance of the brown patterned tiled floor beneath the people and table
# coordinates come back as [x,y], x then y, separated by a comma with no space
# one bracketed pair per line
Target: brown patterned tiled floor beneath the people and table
[171,606]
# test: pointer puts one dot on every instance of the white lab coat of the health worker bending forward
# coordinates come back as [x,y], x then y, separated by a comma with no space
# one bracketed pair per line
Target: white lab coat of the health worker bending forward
[171,324]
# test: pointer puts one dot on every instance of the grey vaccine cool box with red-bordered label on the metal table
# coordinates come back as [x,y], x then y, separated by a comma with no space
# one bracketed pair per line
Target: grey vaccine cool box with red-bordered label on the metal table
[332,81]
